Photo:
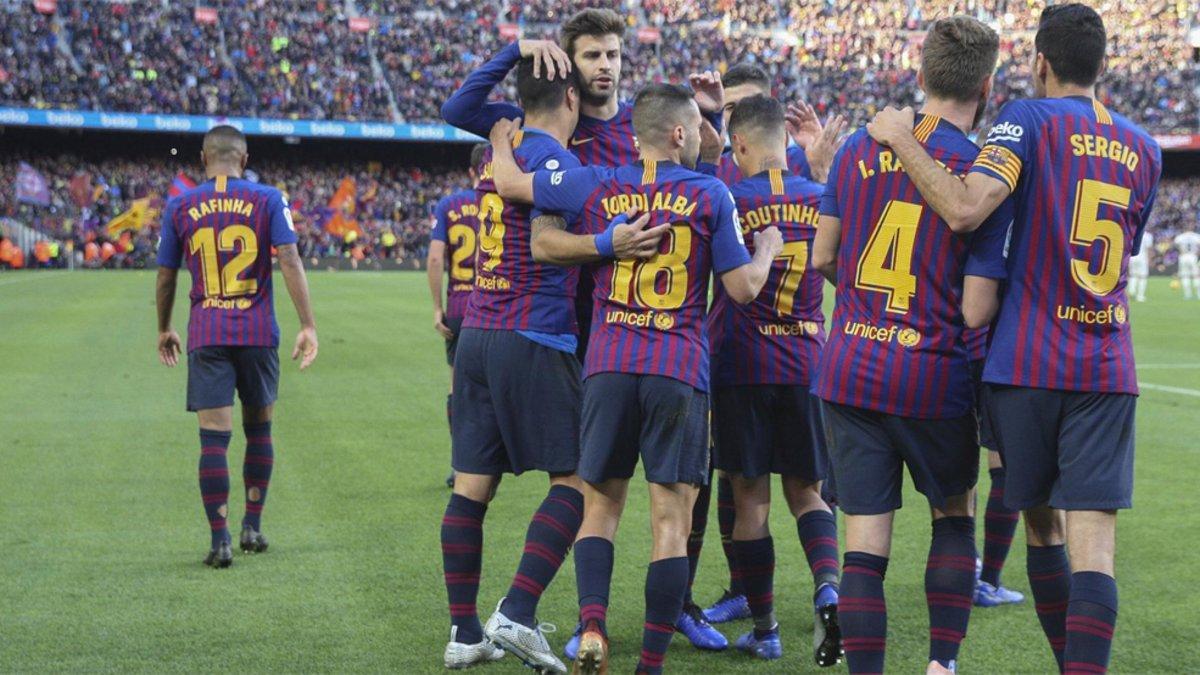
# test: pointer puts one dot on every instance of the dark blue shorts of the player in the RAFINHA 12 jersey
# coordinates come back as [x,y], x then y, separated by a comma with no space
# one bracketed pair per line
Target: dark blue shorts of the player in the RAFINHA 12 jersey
[214,373]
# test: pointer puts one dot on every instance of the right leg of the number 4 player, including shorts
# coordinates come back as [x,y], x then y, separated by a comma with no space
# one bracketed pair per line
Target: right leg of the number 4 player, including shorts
[944,459]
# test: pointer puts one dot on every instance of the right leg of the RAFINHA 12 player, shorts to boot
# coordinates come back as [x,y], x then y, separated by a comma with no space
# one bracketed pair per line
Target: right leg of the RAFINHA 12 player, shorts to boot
[259,383]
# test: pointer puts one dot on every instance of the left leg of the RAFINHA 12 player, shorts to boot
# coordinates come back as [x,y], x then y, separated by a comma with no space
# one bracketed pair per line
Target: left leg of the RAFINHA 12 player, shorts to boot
[212,383]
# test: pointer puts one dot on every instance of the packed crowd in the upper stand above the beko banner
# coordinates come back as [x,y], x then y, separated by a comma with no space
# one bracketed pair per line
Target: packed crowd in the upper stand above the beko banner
[302,61]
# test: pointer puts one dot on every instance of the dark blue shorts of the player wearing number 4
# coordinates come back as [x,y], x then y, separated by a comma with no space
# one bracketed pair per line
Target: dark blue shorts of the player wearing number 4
[869,451]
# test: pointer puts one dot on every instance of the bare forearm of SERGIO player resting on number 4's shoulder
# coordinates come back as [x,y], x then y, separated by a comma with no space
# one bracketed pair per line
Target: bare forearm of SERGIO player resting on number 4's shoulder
[963,202]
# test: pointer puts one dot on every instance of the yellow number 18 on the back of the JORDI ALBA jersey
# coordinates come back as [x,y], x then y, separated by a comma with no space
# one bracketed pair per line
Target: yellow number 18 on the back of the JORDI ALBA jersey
[644,277]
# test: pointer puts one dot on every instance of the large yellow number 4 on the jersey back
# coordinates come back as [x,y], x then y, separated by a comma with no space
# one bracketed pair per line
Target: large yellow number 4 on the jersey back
[886,264]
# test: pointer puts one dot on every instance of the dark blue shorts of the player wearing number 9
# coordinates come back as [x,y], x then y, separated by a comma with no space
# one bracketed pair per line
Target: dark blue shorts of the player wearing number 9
[515,405]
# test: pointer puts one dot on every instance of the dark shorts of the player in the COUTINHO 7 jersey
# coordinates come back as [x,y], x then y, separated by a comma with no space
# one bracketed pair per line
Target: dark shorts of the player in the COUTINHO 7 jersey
[763,429]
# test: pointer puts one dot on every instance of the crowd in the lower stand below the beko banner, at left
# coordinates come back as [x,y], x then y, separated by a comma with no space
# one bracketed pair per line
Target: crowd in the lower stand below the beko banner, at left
[392,206]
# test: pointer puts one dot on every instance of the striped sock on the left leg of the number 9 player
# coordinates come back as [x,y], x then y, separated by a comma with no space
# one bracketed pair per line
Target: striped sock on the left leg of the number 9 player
[463,555]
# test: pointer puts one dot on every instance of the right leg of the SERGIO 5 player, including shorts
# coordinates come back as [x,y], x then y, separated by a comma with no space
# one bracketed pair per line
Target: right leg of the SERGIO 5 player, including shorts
[1096,465]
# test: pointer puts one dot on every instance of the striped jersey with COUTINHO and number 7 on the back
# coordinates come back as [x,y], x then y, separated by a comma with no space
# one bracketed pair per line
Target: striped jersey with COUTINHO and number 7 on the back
[777,338]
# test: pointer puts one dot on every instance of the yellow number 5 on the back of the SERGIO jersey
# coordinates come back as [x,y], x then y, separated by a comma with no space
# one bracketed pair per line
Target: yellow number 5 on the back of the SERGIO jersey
[1088,228]
